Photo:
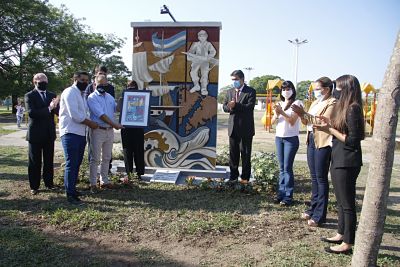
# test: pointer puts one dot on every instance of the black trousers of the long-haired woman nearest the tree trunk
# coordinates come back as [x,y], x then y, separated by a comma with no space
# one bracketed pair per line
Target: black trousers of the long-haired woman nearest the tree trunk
[344,184]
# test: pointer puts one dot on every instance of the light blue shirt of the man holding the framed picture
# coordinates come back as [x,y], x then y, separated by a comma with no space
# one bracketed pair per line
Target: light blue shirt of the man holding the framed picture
[101,105]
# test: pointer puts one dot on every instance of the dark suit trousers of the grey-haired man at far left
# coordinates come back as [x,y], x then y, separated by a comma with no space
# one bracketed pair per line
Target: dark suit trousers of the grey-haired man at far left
[36,151]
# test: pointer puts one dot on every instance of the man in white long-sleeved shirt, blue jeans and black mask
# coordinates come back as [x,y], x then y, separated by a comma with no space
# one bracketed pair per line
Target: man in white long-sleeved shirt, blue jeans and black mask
[73,122]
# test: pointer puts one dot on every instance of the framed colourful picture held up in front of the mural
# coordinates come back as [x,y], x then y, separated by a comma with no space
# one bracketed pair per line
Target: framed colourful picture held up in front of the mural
[135,109]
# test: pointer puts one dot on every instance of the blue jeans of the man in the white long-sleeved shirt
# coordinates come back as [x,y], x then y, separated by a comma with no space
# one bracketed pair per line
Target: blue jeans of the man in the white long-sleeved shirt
[74,148]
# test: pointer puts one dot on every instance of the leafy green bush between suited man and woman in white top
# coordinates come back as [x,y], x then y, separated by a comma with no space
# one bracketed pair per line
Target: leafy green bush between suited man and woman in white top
[265,171]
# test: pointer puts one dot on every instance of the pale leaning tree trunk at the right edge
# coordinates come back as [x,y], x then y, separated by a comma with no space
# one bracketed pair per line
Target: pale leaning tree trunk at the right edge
[373,213]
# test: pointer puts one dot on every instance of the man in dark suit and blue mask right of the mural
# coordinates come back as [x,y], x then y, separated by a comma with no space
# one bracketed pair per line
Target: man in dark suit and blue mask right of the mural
[240,102]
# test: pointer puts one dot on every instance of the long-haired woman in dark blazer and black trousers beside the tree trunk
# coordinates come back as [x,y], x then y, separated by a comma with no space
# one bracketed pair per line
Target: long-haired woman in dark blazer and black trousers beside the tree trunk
[347,128]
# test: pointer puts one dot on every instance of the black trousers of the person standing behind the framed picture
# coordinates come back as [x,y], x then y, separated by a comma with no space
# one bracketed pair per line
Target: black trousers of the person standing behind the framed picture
[133,147]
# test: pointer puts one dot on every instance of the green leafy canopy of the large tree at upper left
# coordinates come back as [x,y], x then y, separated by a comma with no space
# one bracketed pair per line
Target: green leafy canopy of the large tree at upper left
[38,37]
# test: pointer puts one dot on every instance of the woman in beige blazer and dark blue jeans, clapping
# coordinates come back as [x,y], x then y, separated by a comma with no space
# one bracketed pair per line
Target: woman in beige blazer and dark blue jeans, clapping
[319,146]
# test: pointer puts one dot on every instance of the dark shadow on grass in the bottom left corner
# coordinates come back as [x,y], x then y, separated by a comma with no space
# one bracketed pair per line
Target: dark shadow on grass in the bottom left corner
[23,246]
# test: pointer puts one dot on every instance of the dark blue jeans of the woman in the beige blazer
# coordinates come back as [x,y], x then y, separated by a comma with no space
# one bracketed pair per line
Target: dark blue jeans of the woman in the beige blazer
[318,162]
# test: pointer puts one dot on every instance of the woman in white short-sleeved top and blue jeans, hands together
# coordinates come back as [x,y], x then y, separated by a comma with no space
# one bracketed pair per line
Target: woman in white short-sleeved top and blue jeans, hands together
[286,140]
